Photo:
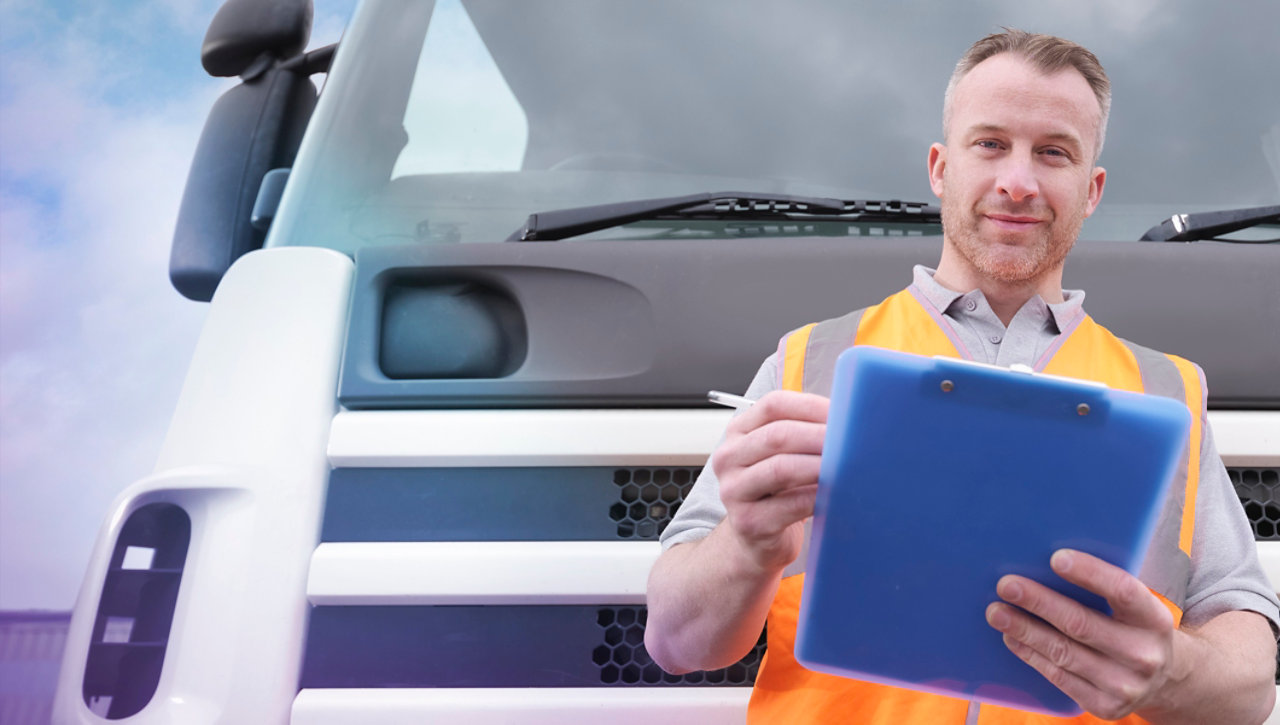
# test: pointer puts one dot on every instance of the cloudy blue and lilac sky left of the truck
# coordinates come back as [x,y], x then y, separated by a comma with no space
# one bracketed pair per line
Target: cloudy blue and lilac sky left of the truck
[100,110]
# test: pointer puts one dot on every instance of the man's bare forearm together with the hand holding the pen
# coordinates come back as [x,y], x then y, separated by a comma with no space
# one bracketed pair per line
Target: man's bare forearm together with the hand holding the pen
[710,599]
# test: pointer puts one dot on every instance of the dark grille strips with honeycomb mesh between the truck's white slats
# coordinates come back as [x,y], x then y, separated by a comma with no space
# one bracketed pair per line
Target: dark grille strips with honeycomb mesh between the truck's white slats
[537,646]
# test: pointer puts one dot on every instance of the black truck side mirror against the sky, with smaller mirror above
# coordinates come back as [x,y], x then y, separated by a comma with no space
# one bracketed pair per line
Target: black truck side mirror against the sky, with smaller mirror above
[253,129]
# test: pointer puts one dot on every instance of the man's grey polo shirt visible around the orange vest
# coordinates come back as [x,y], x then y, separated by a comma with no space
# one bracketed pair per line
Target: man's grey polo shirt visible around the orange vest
[1226,571]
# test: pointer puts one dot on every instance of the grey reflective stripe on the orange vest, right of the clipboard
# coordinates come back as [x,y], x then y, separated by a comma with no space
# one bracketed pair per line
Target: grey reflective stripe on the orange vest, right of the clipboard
[1168,568]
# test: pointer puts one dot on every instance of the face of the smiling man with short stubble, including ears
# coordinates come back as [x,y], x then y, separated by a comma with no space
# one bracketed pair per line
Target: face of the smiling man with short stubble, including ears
[1017,176]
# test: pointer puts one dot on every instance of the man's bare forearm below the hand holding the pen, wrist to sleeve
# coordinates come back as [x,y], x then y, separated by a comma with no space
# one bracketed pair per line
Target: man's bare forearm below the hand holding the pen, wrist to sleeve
[707,604]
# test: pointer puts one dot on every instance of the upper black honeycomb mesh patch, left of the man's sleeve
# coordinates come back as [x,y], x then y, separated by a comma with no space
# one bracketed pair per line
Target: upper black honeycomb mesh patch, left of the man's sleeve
[648,499]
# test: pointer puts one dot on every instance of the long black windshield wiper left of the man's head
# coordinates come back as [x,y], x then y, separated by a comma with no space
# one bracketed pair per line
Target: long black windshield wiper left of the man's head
[564,224]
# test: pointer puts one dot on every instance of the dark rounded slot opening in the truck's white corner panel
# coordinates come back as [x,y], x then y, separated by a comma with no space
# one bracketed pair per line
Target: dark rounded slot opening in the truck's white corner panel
[134,617]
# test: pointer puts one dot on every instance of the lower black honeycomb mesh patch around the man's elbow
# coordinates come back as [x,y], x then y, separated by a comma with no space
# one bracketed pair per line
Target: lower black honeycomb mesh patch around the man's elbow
[623,659]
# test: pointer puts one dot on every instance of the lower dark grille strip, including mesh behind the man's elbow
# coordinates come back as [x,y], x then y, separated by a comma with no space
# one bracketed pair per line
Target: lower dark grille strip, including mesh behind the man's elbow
[493,648]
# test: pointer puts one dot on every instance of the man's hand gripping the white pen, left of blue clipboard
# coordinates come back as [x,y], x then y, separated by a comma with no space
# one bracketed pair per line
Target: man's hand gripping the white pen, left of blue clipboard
[769,475]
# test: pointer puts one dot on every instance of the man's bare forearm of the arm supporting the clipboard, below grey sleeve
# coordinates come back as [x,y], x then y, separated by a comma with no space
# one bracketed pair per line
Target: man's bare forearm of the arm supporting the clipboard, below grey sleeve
[1224,673]
